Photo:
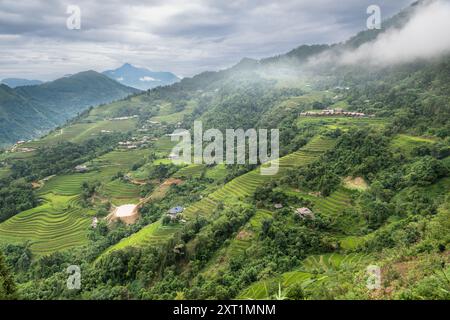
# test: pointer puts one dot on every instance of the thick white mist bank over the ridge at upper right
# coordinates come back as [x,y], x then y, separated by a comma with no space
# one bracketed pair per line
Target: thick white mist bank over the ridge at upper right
[409,36]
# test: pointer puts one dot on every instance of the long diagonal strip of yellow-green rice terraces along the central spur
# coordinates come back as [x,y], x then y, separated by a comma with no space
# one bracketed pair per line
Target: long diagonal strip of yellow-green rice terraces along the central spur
[237,189]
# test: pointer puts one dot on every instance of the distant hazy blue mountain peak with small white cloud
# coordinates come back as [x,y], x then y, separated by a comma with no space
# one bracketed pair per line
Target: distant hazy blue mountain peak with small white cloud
[141,78]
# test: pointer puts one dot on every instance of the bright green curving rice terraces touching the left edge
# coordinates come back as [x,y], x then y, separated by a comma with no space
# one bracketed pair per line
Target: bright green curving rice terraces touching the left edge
[57,224]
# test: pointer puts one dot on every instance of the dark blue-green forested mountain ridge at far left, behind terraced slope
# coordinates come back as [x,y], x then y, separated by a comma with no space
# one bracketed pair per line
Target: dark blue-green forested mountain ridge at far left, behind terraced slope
[30,111]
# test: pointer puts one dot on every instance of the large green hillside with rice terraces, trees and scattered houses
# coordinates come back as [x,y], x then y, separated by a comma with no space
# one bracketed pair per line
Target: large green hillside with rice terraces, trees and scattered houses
[363,180]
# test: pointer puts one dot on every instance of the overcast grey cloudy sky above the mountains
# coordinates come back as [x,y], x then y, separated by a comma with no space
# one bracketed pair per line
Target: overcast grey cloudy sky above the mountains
[185,37]
